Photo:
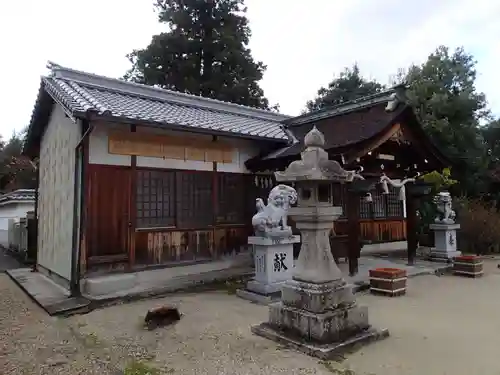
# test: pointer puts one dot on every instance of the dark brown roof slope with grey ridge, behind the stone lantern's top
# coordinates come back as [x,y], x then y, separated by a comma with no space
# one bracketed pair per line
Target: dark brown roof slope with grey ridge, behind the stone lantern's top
[342,125]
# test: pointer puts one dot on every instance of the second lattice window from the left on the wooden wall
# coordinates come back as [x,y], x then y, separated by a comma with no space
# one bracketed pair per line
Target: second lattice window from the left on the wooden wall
[194,198]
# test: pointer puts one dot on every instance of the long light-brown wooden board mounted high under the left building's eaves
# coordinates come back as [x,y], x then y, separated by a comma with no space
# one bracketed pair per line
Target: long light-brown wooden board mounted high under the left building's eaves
[169,147]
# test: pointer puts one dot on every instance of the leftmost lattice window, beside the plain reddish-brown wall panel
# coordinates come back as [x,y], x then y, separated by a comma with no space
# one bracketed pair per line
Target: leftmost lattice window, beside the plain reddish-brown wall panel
[155,199]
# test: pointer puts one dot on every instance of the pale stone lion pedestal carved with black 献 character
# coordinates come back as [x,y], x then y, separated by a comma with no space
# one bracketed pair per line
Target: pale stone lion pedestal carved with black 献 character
[273,266]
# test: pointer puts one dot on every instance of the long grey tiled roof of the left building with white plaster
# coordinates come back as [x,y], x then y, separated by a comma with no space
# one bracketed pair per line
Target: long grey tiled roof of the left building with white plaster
[83,93]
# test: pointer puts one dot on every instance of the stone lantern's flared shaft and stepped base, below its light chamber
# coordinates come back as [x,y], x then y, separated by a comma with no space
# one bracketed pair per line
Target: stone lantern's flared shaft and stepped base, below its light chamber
[317,313]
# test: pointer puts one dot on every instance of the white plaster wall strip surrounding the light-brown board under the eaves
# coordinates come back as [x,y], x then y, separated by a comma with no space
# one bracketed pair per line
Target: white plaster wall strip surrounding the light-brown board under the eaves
[244,149]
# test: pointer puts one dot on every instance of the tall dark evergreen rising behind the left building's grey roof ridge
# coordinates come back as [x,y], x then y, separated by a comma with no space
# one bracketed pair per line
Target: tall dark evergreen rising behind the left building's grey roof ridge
[204,52]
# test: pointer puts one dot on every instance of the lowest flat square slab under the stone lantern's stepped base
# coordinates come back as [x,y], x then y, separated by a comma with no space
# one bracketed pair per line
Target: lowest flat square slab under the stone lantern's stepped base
[322,351]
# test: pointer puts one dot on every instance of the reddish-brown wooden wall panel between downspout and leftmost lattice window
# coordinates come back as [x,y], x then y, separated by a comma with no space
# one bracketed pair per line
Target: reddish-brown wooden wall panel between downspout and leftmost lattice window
[107,212]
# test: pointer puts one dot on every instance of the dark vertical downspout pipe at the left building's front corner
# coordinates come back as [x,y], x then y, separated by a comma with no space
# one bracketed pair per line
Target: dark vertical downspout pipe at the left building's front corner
[79,195]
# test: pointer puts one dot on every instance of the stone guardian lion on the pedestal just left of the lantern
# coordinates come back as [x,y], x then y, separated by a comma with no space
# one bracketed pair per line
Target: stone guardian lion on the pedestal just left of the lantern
[271,219]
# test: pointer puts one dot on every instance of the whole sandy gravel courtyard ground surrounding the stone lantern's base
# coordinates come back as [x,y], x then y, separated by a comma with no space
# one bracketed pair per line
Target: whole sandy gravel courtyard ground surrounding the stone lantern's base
[444,325]
